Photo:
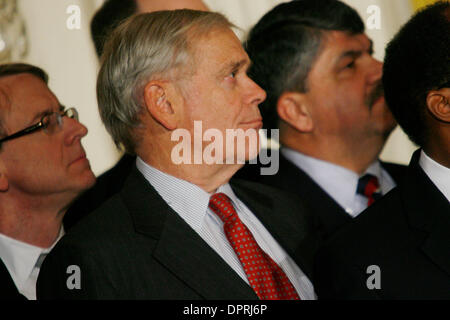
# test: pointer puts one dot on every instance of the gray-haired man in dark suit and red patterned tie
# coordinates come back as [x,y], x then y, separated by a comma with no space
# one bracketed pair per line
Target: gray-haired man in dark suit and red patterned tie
[182,229]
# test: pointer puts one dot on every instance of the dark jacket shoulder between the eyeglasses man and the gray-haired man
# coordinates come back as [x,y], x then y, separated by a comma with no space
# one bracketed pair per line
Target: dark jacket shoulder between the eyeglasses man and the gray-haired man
[108,184]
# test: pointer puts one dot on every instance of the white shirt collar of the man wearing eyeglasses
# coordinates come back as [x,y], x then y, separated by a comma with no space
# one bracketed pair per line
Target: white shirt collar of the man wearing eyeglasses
[20,258]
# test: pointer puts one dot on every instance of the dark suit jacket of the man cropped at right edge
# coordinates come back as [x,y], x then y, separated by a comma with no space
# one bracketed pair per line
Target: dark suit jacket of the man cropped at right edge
[406,234]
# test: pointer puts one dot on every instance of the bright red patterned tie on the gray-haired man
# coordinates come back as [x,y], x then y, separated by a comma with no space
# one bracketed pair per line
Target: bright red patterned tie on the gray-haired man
[265,276]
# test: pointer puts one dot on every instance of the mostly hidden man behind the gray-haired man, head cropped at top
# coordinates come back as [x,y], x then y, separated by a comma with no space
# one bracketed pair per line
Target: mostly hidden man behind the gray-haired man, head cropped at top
[110,14]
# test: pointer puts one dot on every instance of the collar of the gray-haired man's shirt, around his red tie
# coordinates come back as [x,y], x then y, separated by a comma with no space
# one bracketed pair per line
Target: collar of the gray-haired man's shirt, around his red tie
[186,199]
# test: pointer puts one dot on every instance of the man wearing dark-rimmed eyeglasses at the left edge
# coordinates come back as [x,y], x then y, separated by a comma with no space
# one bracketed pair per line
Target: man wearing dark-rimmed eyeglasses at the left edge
[43,168]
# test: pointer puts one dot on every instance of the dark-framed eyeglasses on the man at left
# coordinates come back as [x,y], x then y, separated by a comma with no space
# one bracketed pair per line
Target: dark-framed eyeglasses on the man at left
[50,123]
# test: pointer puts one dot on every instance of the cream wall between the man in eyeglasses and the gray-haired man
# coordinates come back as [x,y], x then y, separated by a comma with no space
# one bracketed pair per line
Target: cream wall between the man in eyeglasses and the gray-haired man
[69,58]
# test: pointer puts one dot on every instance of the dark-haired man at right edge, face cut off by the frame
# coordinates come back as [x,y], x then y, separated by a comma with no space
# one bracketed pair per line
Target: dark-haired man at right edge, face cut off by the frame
[400,247]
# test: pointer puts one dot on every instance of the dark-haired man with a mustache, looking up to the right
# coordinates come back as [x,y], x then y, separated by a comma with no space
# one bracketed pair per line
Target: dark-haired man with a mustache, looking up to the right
[324,94]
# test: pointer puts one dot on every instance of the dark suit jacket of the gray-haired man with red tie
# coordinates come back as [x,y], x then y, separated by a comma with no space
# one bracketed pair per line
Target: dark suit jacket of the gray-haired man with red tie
[136,247]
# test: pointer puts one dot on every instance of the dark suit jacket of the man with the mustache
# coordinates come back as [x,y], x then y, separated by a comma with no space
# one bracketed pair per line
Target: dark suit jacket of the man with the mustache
[330,216]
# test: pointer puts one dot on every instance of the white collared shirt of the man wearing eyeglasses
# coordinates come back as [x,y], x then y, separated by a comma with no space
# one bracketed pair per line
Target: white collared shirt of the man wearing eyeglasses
[23,262]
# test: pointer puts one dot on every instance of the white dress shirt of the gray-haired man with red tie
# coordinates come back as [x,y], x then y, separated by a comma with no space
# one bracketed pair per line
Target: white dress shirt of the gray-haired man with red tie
[190,202]
